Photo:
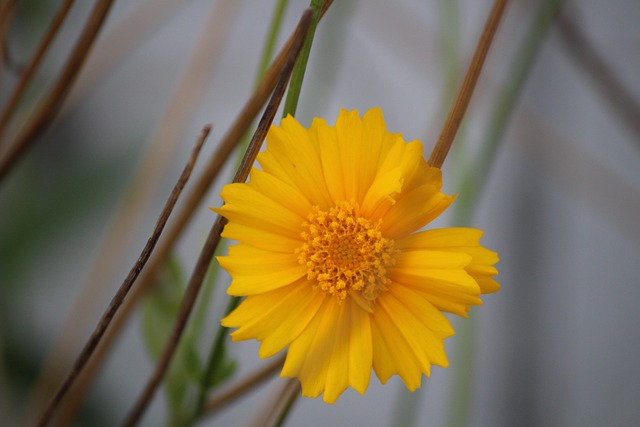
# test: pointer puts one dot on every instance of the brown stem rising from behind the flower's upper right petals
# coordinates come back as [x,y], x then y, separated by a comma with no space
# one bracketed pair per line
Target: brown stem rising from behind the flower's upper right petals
[450,128]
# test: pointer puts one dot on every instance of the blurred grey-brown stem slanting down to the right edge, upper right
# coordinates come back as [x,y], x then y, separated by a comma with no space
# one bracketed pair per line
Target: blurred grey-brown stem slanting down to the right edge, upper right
[581,50]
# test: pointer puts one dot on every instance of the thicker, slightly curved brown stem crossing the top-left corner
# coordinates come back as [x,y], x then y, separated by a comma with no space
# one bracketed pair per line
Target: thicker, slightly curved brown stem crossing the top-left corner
[50,105]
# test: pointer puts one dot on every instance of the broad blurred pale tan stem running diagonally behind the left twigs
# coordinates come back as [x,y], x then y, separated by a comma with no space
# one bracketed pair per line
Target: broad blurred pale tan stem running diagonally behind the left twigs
[134,204]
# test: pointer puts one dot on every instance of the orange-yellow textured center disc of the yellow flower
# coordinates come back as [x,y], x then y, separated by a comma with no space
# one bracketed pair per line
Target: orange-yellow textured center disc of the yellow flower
[345,253]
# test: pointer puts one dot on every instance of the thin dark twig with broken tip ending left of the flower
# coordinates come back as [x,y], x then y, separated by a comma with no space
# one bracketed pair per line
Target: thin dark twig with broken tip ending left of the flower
[117,300]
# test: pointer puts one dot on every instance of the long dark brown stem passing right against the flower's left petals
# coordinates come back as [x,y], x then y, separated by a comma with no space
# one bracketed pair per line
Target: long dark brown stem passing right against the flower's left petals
[204,260]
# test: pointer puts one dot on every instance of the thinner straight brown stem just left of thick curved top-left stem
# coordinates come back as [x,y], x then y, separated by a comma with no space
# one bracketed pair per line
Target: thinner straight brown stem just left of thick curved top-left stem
[30,70]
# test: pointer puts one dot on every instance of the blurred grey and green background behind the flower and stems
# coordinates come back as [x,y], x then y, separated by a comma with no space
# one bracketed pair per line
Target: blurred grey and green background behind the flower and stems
[558,101]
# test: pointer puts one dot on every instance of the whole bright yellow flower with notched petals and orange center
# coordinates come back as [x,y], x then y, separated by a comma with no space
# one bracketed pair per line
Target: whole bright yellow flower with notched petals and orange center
[331,263]
